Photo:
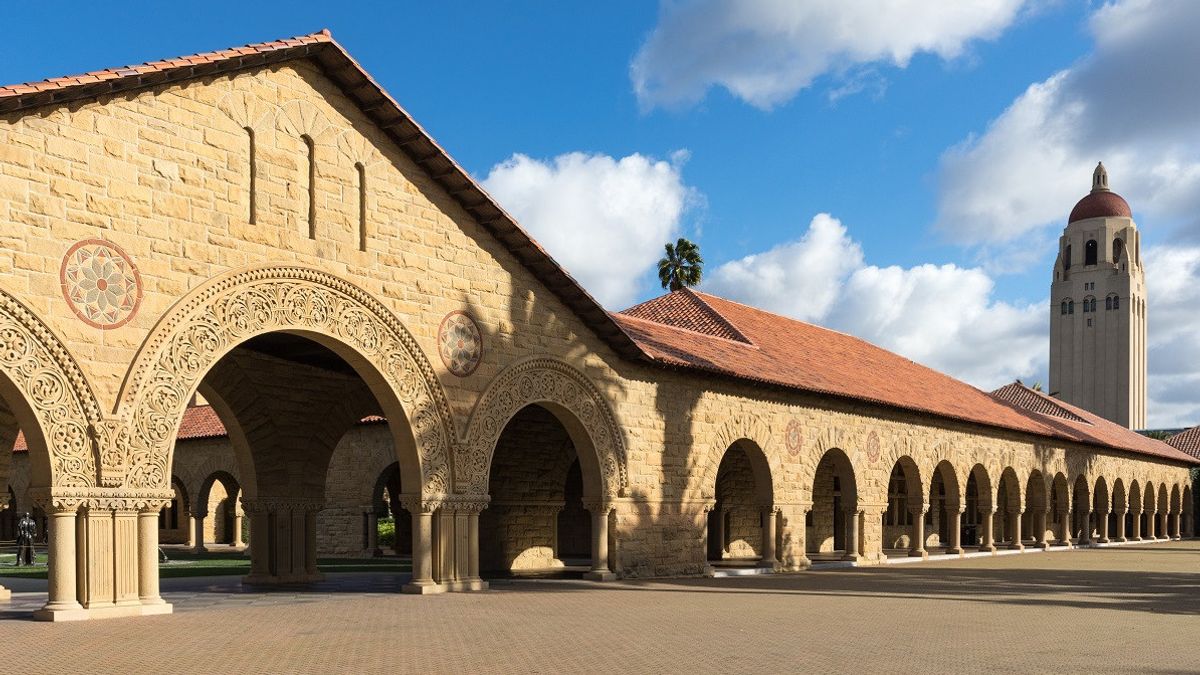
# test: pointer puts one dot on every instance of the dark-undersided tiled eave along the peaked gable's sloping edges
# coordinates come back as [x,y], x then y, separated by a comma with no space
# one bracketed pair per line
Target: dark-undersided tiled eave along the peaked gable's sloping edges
[375,103]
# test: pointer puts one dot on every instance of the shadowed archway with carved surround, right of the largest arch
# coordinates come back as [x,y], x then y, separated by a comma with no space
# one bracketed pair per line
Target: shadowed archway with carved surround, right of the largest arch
[543,410]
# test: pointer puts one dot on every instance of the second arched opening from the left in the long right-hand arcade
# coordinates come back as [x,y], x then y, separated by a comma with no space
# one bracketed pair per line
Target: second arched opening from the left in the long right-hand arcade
[835,529]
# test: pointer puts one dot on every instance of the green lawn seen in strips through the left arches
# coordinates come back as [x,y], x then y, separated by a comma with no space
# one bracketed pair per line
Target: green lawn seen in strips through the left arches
[217,564]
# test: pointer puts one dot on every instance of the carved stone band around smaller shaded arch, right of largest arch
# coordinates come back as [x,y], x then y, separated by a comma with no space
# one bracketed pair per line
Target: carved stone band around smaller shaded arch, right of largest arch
[542,380]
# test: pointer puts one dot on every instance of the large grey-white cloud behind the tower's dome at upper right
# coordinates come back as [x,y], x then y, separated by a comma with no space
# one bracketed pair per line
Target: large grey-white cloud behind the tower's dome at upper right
[1131,104]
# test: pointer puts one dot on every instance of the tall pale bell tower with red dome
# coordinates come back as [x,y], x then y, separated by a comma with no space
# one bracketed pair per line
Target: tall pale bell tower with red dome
[1099,309]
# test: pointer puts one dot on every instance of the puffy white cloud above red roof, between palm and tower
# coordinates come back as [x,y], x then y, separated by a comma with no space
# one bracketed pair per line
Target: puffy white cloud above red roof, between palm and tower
[943,316]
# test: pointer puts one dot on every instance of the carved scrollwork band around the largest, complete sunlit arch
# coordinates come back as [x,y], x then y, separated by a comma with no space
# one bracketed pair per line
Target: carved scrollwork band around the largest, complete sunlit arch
[231,309]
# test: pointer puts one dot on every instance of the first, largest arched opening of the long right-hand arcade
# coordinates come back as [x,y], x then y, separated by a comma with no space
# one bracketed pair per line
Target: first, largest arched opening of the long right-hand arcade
[743,525]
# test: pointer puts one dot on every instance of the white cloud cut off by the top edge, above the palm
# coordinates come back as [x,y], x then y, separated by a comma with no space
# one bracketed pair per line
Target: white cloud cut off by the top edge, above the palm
[766,51]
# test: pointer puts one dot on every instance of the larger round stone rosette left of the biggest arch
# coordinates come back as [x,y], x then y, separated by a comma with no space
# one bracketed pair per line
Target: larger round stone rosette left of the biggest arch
[101,284]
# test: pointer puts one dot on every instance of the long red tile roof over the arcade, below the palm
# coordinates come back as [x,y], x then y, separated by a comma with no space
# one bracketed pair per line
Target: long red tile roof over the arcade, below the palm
[795,355]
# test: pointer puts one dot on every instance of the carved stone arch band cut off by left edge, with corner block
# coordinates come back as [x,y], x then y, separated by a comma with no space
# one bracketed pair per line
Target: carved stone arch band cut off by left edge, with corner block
[50,384]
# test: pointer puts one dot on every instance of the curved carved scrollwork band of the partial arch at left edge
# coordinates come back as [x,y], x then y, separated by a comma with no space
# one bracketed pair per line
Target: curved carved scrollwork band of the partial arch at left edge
[40,367]
